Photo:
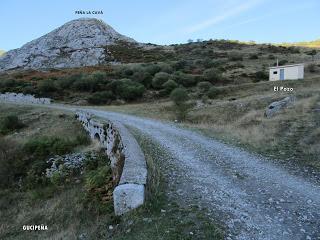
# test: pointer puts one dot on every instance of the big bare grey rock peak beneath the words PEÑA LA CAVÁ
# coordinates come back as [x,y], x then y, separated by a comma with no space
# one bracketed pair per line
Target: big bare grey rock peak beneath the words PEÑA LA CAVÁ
[81,42]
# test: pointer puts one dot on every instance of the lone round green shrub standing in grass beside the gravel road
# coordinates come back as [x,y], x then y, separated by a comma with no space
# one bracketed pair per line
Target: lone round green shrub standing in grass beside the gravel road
[180,98]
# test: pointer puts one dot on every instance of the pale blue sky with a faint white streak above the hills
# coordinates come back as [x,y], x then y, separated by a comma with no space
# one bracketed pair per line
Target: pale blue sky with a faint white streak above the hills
[167,21]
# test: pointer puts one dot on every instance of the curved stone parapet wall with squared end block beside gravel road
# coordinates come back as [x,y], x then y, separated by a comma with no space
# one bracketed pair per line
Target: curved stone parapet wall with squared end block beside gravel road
[127,160]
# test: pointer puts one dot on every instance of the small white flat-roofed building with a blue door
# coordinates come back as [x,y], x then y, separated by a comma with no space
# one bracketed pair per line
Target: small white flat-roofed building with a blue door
[287,72]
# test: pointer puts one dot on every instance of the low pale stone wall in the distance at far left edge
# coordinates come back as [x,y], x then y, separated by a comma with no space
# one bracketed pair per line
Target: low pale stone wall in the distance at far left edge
[22,98]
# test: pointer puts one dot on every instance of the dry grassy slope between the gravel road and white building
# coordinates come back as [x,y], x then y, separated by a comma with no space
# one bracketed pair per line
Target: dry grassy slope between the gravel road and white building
[292,135]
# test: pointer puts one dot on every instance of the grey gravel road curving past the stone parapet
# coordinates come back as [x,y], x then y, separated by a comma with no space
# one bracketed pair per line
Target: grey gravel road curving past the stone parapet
[255,198]
